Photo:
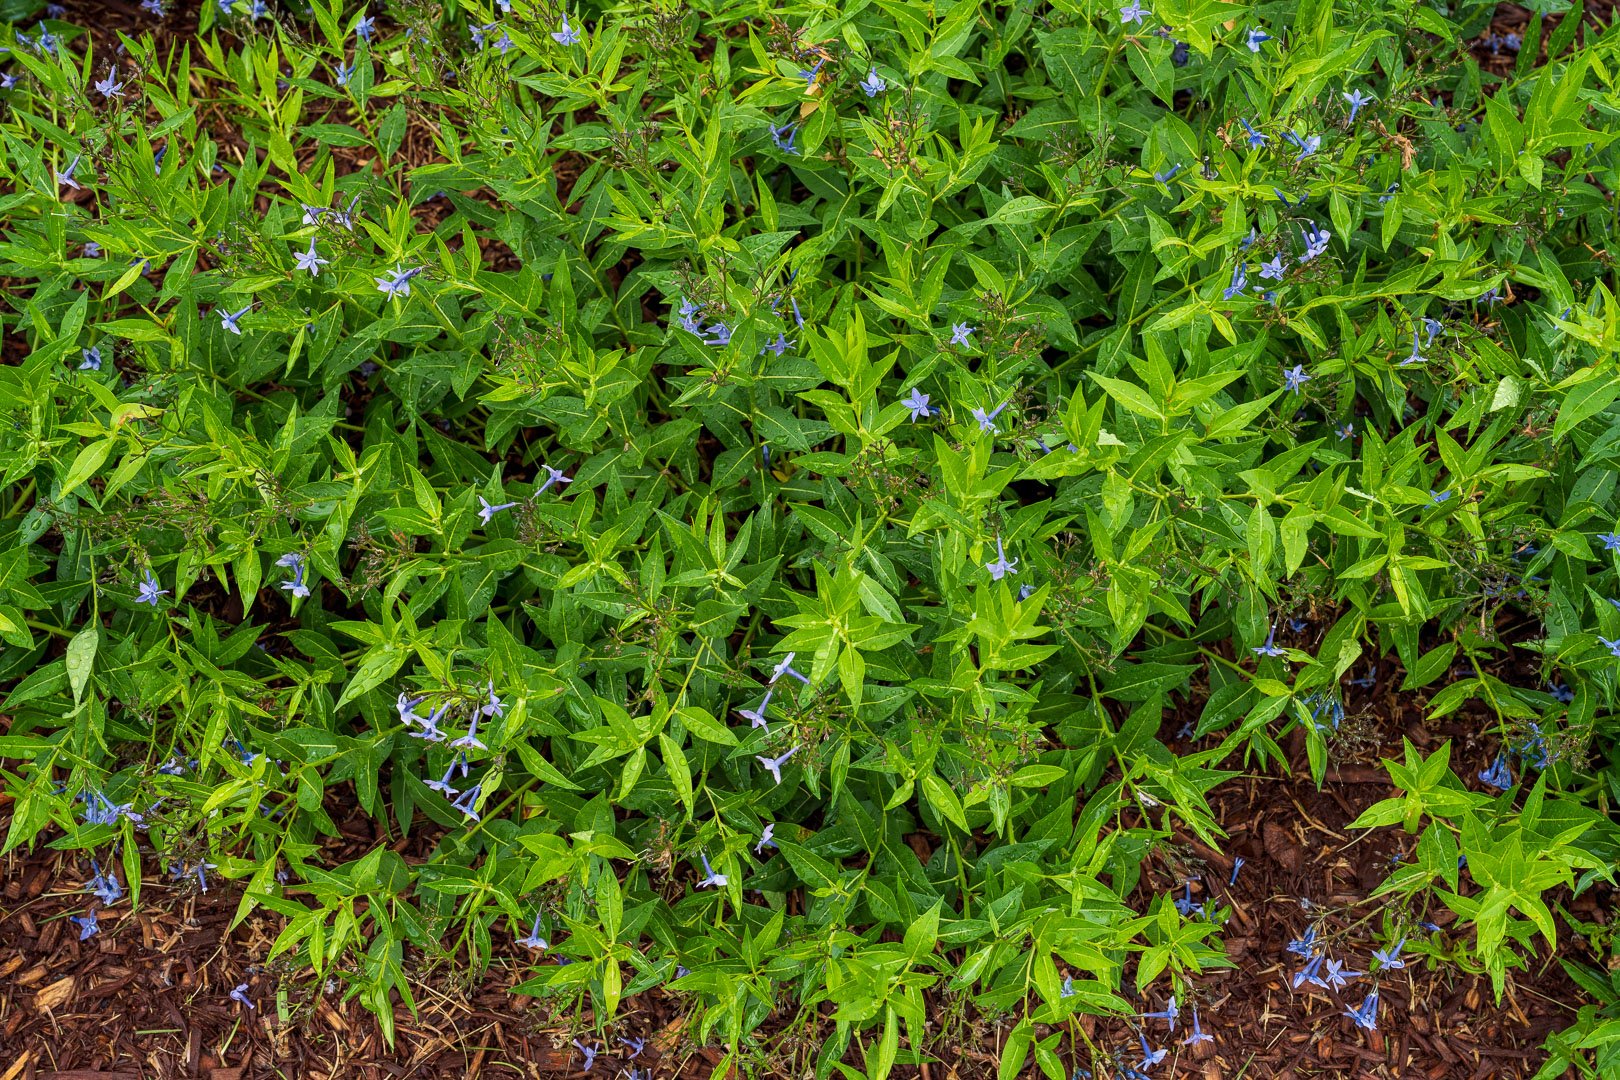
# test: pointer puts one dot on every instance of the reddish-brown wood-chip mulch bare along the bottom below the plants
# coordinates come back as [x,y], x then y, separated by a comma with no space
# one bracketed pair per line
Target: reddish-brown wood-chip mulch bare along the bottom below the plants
[148,997]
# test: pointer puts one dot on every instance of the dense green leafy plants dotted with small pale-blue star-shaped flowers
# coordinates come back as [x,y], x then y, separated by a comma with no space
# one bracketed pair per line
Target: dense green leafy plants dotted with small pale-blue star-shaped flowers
[756,480]
